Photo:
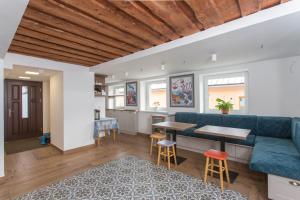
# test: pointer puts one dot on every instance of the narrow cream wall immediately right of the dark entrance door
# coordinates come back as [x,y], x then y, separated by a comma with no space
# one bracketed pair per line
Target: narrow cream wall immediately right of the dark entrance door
[46,106]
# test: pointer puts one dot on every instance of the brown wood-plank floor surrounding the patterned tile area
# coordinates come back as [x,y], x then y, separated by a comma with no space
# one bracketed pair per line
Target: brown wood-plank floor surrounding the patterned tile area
[29,170]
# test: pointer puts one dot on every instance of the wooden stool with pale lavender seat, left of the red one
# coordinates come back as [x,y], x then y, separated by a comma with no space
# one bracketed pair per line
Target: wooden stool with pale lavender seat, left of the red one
[166,144]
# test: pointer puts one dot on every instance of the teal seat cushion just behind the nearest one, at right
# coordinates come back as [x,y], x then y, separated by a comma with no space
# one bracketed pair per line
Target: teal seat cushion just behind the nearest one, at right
[276,145]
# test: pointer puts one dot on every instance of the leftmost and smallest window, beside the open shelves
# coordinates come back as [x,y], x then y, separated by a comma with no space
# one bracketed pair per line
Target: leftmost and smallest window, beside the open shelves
[116,97]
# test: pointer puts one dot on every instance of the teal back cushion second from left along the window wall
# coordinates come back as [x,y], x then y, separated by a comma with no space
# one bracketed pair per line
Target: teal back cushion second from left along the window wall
[209,119]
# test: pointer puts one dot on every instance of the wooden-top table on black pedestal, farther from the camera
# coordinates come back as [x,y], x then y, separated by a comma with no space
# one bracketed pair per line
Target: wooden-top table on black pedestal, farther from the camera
[176,126]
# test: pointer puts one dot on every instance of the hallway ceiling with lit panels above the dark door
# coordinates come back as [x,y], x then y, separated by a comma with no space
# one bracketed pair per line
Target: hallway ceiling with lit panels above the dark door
[18,71]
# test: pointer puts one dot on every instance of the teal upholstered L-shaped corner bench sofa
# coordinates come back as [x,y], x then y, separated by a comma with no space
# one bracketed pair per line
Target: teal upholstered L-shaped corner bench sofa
[275,140]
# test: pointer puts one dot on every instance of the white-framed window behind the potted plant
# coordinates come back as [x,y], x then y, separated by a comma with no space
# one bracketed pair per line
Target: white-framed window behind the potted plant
[228,87]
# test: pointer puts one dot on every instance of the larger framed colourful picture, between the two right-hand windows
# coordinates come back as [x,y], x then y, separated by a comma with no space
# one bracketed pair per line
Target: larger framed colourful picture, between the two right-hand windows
[182,91]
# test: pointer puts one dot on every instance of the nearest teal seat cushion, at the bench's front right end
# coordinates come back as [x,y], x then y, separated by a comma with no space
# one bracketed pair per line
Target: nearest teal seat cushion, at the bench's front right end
[275,163]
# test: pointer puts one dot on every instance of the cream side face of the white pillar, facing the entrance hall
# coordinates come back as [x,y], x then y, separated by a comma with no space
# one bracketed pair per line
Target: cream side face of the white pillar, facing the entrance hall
[57,110]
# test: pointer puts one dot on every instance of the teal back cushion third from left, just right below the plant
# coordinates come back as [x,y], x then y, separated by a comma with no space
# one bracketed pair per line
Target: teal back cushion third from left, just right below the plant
[241,121]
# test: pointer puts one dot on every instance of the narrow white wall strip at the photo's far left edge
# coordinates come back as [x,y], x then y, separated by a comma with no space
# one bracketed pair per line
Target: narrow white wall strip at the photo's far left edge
[1,119]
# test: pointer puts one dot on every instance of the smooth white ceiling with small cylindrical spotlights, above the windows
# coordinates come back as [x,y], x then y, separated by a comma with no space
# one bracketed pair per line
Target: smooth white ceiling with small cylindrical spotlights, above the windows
[271,39]
